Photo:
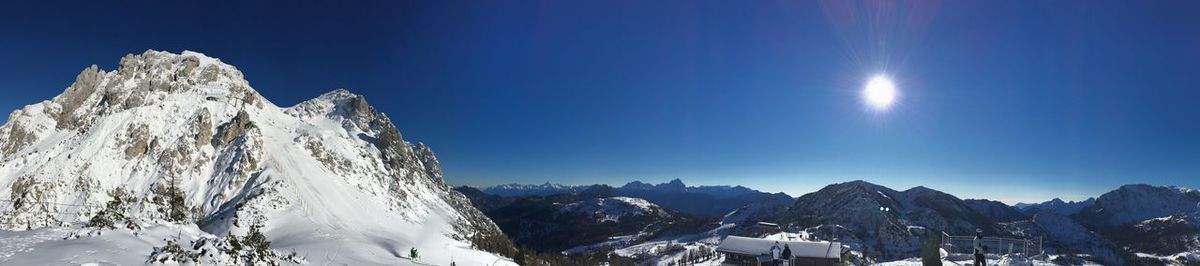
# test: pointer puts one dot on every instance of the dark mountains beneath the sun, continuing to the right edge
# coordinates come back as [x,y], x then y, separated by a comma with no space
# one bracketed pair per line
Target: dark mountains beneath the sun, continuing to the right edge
[1133,225]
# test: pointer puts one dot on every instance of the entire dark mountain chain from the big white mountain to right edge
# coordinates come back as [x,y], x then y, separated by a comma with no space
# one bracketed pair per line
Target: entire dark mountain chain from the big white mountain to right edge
[1133,225]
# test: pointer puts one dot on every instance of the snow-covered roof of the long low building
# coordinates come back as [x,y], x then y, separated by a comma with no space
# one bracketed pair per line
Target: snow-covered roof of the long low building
[752,246]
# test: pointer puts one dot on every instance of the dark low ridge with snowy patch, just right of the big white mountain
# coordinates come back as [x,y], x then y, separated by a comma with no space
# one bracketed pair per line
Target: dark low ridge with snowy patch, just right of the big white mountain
[579,220]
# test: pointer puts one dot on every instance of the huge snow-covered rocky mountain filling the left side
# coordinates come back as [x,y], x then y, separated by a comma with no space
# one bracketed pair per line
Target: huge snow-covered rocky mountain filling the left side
[329,178]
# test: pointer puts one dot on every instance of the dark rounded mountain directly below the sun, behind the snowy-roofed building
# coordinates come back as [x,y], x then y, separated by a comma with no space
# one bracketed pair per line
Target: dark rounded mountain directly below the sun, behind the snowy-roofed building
[885,222]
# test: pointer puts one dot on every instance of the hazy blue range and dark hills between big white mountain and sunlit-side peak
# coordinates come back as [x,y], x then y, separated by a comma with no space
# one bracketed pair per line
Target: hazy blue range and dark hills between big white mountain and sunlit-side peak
[547,217]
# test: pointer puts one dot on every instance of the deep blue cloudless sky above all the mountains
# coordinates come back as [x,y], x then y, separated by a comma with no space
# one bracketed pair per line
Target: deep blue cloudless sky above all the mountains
[1018,101]
